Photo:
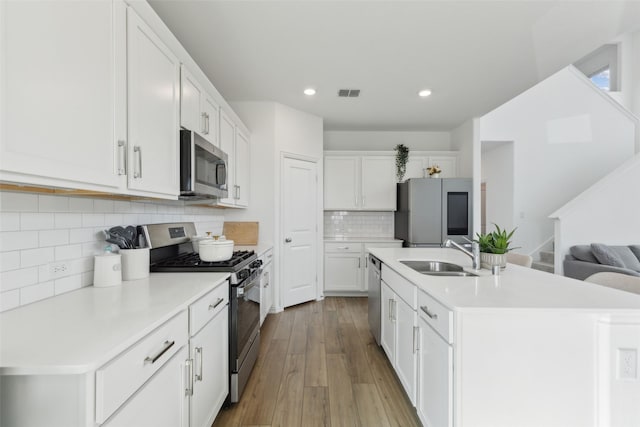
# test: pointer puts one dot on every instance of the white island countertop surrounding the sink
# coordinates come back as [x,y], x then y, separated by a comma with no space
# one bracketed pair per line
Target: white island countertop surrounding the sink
[516,287]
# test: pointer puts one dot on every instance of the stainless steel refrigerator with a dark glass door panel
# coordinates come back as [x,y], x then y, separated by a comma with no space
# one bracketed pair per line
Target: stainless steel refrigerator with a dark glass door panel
[432,210]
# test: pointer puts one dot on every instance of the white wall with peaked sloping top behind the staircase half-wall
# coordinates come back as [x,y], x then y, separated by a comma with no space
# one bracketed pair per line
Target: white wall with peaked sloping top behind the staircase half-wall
[567,135]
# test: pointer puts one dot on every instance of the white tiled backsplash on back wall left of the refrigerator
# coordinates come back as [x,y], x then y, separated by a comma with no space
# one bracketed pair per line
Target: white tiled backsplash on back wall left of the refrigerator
[358,224]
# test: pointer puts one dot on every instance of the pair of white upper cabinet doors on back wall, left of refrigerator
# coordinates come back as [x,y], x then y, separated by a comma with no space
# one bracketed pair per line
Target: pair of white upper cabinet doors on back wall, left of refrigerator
[359,183]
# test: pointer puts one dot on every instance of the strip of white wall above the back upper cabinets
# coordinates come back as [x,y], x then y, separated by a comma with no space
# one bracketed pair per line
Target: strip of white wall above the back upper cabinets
[386,140]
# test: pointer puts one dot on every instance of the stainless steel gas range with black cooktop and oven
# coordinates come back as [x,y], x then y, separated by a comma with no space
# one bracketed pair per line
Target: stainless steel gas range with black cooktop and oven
[171,251]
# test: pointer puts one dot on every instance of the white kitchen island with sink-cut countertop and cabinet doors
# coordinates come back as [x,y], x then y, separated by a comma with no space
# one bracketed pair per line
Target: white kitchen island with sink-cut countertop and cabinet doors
[524,348]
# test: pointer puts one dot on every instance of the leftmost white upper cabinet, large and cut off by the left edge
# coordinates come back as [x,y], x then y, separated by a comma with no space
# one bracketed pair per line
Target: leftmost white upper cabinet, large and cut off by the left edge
[63,89]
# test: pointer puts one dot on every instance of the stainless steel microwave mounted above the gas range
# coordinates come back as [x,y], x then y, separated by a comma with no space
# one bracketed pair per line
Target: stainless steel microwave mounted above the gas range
[203,168]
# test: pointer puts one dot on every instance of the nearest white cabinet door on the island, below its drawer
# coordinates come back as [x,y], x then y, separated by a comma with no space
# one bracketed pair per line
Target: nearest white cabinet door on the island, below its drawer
[435,378]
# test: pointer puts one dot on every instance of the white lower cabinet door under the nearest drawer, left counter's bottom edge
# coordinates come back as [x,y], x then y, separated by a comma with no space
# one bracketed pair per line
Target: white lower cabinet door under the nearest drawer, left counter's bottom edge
[160,402]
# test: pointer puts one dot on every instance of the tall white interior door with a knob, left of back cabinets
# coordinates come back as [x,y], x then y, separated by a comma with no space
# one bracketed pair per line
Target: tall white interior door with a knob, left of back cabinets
[299,263]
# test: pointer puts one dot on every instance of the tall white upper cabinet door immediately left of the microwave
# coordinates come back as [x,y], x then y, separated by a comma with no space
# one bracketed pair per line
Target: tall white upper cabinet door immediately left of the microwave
[153,114]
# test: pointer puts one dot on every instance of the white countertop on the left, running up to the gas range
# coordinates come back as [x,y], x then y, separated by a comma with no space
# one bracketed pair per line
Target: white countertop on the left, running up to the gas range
[79,331]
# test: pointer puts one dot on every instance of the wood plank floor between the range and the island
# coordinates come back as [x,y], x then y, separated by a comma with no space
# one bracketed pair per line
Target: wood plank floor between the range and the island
[320,366]
